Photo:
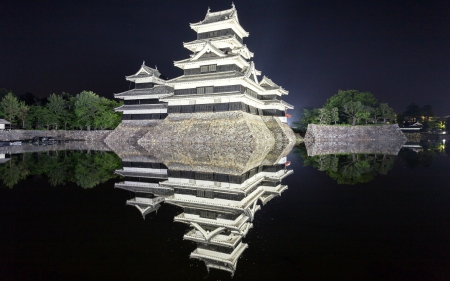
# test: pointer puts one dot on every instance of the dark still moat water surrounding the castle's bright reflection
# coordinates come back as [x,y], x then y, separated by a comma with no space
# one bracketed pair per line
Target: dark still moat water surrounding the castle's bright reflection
[343,217]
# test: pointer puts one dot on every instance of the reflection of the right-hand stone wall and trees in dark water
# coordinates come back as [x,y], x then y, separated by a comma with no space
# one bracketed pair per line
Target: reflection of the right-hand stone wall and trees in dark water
[361,161]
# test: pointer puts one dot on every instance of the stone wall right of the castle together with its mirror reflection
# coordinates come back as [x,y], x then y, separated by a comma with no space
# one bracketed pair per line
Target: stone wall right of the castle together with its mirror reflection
[328,139]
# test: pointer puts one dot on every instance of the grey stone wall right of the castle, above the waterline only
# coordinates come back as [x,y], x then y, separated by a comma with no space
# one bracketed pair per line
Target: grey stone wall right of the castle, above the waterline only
[326,133]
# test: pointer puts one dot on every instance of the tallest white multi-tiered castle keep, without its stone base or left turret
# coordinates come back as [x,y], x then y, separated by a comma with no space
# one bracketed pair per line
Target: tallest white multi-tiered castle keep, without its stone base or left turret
[220,76]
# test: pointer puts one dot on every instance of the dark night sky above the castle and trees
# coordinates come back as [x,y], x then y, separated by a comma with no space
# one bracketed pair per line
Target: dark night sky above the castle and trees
[398,50]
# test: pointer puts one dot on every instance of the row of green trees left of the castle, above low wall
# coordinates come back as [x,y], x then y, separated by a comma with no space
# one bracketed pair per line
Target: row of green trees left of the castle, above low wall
[65,111]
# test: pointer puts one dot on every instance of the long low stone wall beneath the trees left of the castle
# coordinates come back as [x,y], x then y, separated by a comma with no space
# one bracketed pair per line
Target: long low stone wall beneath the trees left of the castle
[96,136]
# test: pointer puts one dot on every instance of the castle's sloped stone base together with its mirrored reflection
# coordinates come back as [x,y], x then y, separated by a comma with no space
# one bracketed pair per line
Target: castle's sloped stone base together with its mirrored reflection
[233,141]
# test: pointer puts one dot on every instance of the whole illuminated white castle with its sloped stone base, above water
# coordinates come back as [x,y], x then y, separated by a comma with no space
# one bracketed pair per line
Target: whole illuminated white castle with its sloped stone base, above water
[218,94]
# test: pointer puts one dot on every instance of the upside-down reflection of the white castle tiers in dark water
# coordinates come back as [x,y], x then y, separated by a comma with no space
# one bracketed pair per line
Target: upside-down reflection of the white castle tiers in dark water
[219,202]
